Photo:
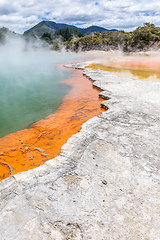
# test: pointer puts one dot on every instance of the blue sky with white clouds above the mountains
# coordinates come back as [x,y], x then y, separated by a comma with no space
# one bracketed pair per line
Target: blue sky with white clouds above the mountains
[20,15]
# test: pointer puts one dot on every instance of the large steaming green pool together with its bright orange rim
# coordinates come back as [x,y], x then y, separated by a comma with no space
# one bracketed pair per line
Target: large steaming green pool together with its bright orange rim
[35,96]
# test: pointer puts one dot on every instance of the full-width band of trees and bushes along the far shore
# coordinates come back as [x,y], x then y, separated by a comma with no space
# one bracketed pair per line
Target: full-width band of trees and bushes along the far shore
[141,39]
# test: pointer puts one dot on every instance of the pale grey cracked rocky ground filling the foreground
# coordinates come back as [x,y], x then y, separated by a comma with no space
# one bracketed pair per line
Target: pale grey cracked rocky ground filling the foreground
[104,184]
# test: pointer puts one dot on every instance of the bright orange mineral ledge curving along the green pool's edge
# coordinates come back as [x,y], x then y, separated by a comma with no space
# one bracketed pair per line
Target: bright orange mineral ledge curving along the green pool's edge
[32,147]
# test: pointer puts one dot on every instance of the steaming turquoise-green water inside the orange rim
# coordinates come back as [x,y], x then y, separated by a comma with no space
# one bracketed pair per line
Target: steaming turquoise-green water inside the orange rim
[30,87]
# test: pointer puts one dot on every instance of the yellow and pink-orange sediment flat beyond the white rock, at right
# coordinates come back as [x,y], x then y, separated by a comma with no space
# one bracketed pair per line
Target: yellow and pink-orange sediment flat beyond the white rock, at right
[137,68]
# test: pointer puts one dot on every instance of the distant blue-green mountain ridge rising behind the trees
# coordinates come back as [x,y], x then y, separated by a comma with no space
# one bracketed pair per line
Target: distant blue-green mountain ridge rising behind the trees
[49,26]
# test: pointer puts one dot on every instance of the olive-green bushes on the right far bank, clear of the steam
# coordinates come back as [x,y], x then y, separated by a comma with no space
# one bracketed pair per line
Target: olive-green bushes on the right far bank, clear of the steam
[141,39]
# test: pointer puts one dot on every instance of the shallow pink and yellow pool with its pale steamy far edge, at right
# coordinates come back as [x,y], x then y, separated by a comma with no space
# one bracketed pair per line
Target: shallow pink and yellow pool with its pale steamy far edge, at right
[134,66]
